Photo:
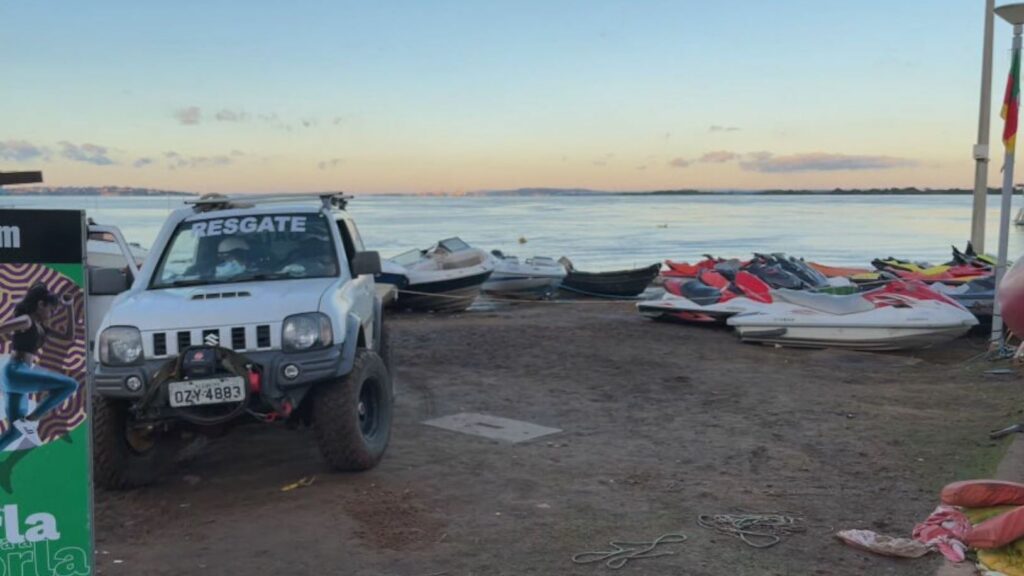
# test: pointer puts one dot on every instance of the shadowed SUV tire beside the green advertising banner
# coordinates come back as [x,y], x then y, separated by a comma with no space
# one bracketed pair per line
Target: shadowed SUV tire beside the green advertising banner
[123,458]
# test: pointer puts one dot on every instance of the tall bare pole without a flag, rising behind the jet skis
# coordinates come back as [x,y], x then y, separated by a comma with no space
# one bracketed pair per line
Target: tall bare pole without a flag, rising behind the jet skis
[982,149]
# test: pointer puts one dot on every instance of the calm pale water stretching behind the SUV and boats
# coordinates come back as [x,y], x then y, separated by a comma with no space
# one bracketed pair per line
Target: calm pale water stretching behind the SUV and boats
[617,232]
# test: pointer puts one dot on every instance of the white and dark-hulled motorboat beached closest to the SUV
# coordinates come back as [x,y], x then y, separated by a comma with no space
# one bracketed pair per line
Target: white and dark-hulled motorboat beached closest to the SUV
[447,277]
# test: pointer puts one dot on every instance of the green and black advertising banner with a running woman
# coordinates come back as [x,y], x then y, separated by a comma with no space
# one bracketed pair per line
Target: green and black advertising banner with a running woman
[46,471]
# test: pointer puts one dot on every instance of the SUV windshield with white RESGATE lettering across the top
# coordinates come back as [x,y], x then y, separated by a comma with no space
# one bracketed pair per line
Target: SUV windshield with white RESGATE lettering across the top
[247,249]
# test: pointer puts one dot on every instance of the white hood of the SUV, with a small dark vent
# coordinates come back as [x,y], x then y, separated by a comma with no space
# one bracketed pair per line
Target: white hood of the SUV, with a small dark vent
[219,305]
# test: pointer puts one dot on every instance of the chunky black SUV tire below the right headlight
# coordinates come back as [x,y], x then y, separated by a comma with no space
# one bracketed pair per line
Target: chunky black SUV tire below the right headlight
[353,416]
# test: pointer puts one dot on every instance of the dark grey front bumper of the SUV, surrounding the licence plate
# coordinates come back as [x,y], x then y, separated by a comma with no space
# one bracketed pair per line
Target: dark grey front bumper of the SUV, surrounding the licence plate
[284,379]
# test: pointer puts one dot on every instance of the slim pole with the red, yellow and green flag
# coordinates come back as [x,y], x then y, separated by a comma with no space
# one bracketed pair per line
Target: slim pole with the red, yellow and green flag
[1015,15]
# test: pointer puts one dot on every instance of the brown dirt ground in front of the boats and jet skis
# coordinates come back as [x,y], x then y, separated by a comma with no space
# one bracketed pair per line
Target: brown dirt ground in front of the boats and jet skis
[662,423]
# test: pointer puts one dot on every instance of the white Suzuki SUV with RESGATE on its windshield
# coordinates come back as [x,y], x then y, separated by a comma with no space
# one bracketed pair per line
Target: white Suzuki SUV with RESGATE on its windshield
[247,309]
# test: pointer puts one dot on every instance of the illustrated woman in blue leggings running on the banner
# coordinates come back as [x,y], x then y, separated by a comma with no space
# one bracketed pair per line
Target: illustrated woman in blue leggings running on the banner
[28,331]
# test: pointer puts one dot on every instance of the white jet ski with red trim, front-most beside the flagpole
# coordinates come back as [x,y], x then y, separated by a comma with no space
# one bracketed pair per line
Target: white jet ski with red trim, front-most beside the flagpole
[899,316]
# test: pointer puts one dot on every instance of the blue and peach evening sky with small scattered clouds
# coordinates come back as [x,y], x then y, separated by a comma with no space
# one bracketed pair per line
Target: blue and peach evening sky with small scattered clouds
[456,96]
